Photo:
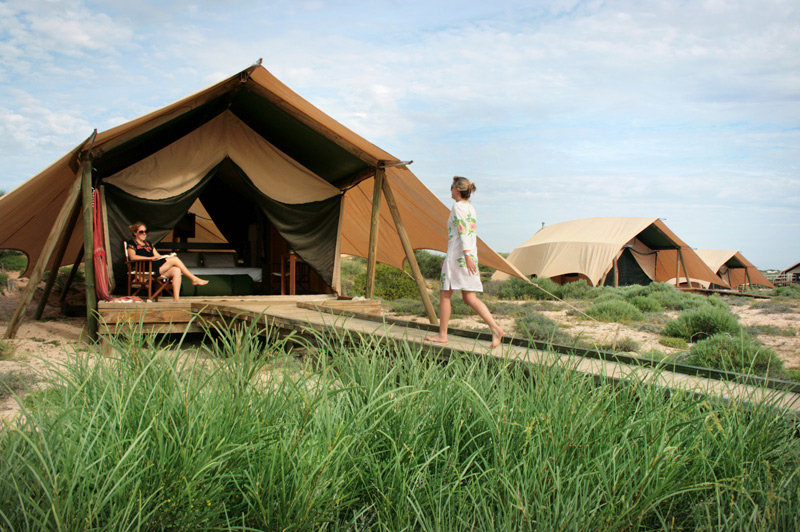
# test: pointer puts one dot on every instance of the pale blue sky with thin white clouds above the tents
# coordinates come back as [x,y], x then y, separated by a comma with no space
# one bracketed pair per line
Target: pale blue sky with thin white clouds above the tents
[688,111]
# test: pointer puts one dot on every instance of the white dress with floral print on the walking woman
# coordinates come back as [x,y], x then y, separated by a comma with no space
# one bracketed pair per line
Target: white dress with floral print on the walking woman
[462,225]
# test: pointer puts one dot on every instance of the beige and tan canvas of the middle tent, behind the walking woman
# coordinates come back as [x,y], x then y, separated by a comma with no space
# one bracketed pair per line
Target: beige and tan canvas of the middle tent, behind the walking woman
[590,246]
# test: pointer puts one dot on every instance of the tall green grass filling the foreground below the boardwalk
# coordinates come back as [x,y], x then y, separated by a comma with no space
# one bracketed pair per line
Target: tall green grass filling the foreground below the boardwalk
[382,437]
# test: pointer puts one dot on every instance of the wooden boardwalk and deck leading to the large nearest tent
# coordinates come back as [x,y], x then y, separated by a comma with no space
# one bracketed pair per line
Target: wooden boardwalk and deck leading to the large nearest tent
[324,313]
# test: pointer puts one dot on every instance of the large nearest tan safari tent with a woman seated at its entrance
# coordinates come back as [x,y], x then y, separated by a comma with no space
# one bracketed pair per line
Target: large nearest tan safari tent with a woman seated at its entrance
[261,169]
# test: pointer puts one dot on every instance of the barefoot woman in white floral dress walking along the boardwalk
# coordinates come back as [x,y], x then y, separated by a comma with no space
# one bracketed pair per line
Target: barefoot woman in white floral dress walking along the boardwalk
[460,265]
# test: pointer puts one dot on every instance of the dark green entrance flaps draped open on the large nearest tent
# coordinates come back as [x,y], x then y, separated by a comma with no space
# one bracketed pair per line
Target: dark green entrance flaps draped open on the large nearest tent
[260,229]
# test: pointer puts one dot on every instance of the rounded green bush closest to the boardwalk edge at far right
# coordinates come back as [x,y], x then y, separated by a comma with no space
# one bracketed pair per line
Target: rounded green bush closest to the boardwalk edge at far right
[738,353]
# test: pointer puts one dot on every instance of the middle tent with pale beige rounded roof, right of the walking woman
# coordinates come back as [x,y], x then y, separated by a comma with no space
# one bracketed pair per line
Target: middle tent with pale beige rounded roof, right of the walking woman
[613,251]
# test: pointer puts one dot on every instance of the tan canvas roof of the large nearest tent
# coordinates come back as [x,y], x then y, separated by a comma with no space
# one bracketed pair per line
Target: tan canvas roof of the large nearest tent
[268,143]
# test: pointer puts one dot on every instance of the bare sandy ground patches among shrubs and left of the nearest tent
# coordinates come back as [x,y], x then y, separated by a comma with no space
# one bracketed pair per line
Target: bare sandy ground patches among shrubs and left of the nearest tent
[39,343]
